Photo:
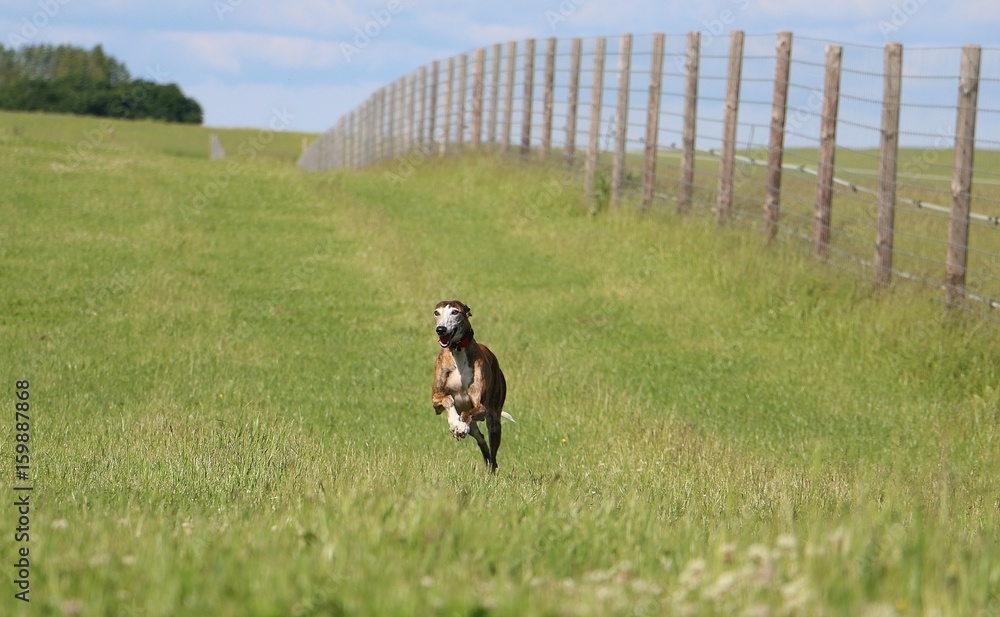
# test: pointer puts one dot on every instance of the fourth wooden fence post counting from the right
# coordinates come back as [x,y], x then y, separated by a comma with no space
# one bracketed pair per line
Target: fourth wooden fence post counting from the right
[776,146]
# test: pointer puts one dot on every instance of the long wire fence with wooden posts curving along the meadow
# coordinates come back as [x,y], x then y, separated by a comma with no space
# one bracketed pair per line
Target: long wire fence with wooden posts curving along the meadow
[867,155]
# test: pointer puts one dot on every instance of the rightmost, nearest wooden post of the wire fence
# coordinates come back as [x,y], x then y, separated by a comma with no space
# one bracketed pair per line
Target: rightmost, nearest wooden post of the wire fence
[961,180]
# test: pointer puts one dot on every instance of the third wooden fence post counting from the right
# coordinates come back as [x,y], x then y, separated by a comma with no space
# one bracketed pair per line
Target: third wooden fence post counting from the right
[827,150]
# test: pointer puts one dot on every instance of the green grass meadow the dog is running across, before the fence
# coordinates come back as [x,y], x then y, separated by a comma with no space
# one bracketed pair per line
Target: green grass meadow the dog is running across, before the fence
[231,416]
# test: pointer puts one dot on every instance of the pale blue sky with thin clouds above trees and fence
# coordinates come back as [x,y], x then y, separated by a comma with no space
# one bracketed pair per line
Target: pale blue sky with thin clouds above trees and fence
[243,59]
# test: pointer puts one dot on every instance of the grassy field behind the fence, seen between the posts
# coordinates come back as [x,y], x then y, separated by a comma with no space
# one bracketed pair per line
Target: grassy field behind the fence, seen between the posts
[921,237]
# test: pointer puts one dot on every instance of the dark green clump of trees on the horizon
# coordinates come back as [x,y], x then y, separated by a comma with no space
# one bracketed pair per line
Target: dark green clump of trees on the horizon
[69,79]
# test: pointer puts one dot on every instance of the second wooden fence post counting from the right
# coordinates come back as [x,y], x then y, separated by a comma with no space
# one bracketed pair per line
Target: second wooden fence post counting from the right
[886,208]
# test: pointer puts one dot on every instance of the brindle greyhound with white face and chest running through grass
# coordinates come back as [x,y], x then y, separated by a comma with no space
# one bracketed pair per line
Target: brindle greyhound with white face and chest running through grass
[468,383]
